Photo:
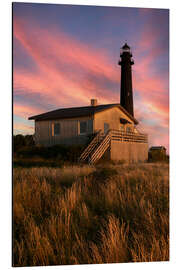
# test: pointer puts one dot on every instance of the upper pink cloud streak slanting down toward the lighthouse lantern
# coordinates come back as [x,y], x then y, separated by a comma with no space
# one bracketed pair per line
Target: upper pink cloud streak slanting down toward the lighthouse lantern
[61,47]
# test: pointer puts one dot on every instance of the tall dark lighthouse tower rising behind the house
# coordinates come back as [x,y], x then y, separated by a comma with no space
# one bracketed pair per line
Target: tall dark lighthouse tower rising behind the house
[126,62]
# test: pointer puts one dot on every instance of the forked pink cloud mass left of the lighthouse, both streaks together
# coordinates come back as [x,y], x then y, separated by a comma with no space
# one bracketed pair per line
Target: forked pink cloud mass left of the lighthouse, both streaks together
[54,82]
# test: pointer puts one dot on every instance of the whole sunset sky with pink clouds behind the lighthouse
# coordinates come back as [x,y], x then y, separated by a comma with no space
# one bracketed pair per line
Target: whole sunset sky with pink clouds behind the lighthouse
[65,55]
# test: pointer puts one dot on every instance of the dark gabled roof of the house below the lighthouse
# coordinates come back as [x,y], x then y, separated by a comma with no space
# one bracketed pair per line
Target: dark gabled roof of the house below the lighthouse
[75,112]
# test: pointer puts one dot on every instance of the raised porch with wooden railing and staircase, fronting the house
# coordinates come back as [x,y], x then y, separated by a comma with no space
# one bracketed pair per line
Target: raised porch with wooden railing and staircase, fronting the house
[127,146]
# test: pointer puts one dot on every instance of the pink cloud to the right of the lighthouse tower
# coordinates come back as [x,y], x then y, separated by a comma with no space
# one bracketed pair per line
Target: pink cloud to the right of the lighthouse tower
[152,87]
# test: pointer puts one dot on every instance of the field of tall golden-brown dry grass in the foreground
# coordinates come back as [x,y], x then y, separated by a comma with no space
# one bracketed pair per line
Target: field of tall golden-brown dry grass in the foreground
[79,215]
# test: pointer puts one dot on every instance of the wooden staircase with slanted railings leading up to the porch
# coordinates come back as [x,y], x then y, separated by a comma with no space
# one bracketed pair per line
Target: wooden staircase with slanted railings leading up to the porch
[97,147]
